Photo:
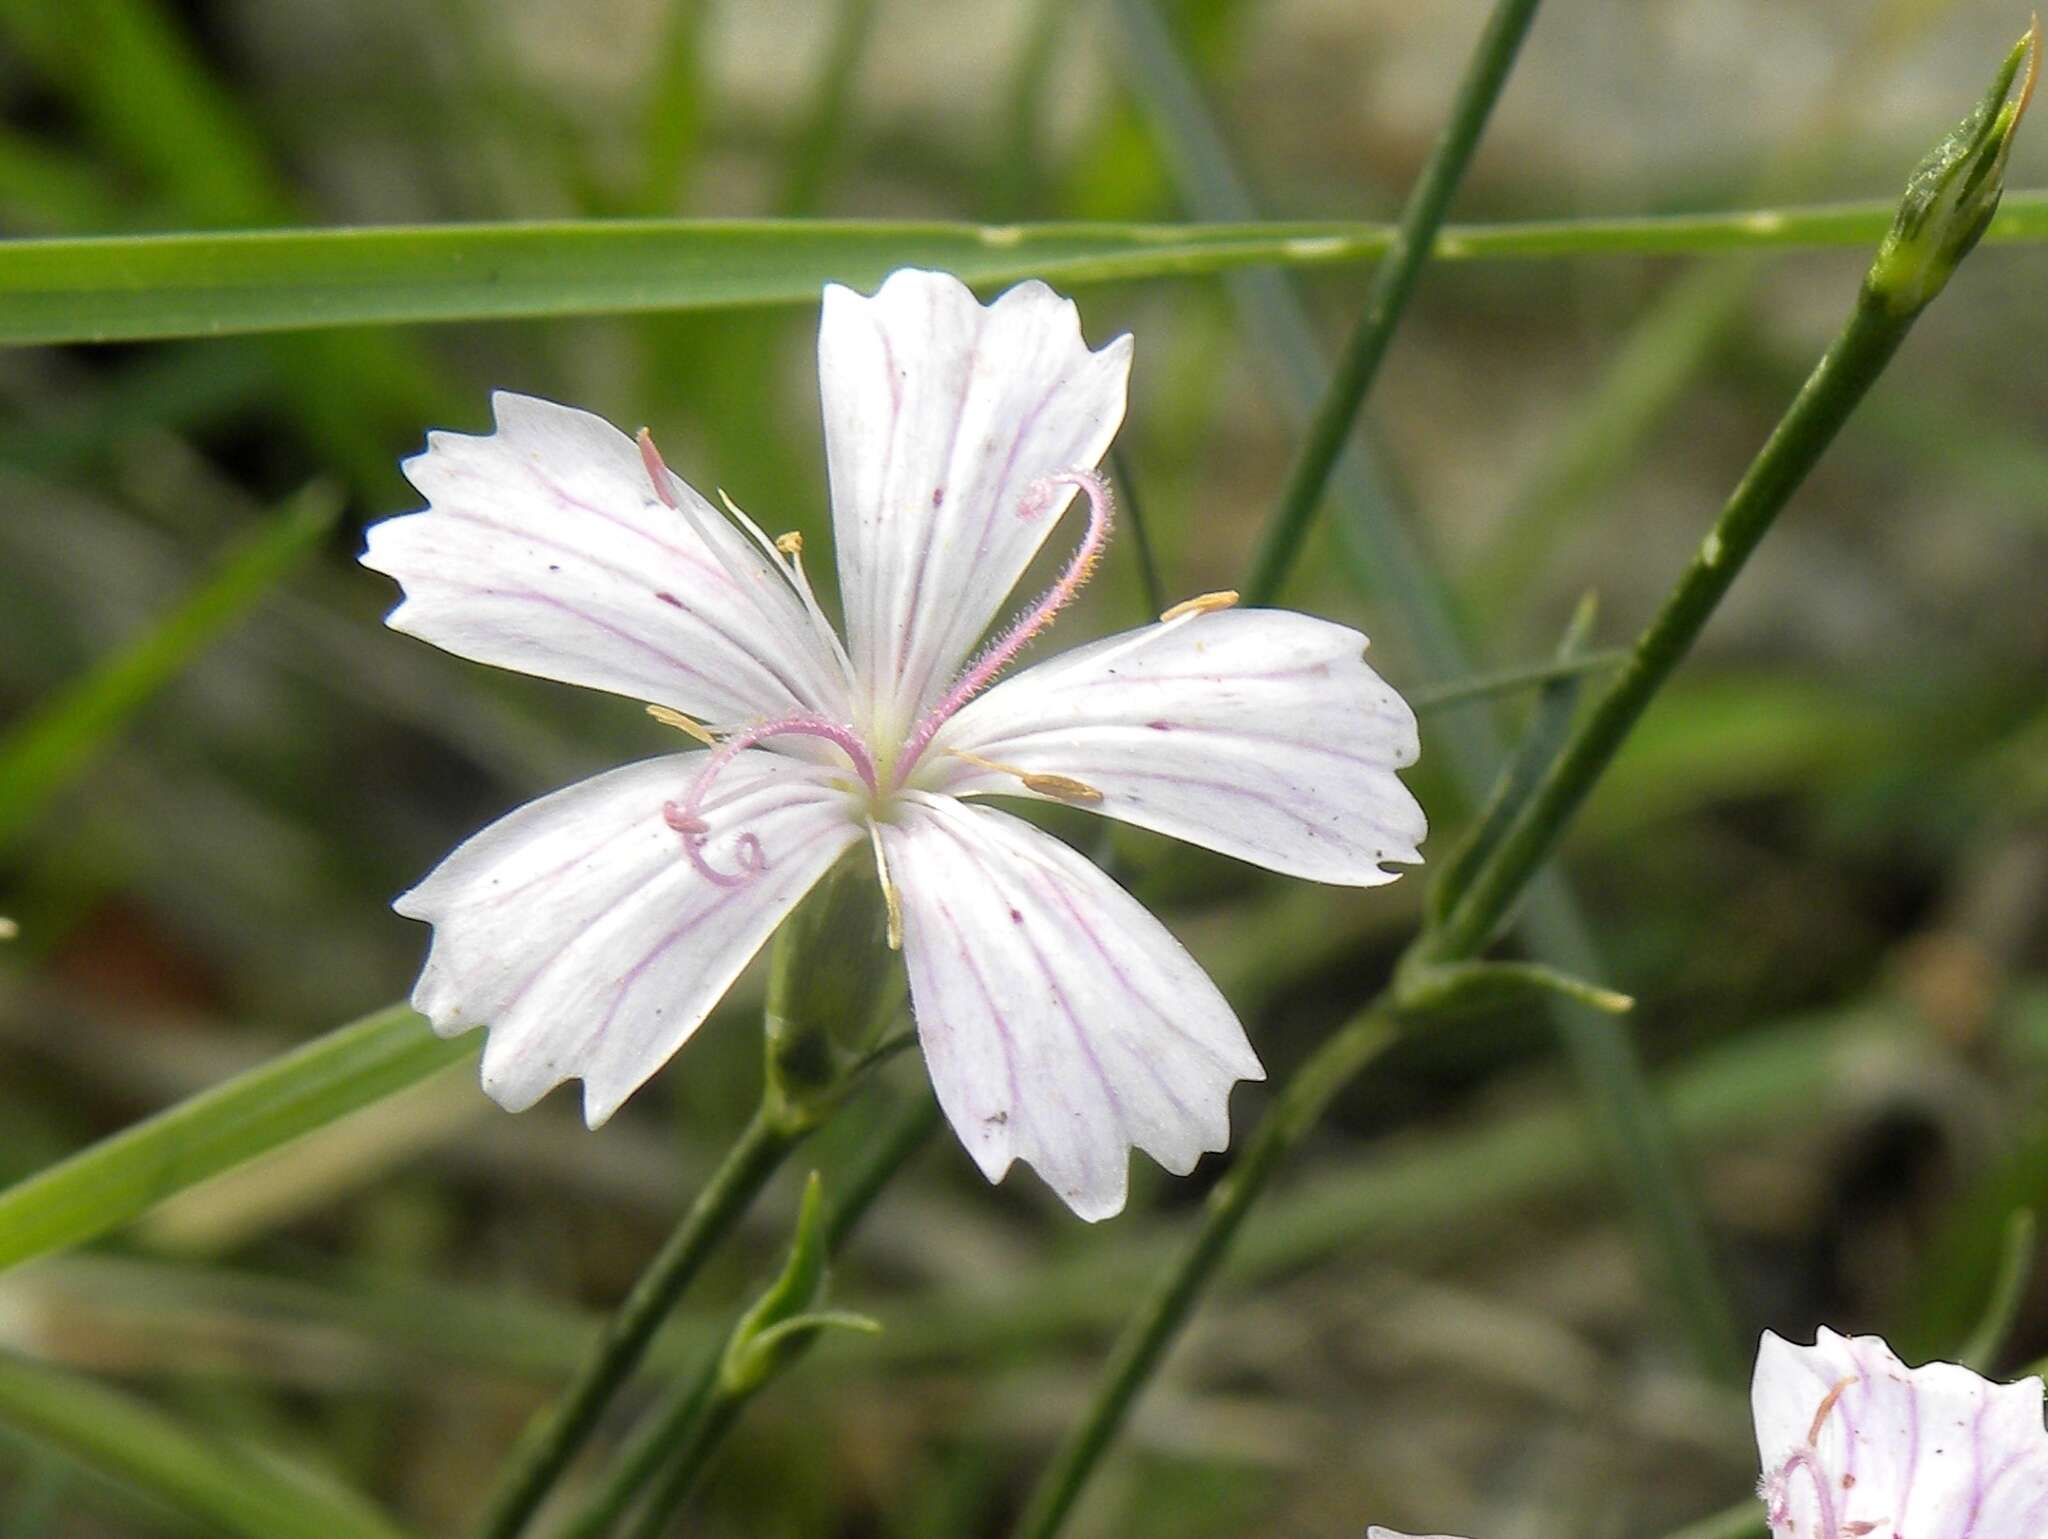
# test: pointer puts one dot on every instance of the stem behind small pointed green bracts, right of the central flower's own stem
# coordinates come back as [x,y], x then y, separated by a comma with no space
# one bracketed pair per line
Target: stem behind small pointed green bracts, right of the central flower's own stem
[679,1438]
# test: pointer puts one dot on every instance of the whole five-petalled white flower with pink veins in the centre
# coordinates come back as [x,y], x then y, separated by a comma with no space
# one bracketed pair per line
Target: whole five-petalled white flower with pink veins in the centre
[1062,1024]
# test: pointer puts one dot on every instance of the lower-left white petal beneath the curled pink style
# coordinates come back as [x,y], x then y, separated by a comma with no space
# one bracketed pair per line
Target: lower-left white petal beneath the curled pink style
[587,940]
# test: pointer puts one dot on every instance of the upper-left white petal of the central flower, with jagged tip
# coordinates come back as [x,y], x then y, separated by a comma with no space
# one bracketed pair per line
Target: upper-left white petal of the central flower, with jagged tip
[544,548]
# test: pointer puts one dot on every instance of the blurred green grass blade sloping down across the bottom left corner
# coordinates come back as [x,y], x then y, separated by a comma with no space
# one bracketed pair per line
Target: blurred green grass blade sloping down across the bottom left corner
[136,1446]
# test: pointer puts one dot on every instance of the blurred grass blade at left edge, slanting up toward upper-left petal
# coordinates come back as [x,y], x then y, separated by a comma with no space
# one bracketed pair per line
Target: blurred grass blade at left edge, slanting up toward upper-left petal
[54,743]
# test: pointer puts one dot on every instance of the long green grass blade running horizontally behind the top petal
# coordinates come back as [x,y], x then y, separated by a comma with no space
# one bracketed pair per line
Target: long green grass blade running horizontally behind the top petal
[138,288]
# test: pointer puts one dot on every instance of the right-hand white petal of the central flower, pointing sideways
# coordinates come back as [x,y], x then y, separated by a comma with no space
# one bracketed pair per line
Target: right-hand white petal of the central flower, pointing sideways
[1254,733]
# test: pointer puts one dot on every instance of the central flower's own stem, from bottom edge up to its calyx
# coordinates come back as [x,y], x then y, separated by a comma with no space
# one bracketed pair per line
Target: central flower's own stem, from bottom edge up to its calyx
[556,1440]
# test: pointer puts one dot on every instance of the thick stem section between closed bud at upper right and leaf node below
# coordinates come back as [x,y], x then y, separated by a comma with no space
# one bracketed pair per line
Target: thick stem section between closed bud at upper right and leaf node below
[1809,427]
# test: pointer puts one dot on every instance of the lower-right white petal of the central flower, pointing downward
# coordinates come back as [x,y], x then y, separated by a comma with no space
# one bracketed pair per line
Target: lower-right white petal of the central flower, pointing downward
[1062,1024]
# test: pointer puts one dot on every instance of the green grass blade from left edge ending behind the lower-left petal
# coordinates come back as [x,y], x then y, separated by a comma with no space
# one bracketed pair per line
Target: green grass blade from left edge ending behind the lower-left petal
[234,1122]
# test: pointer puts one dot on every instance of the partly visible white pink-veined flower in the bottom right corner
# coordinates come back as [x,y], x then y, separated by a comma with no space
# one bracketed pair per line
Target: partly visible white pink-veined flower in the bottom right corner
[1857,1446]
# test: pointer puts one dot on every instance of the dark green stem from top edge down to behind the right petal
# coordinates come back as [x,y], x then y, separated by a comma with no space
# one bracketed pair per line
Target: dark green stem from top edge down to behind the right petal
[1388,298]
